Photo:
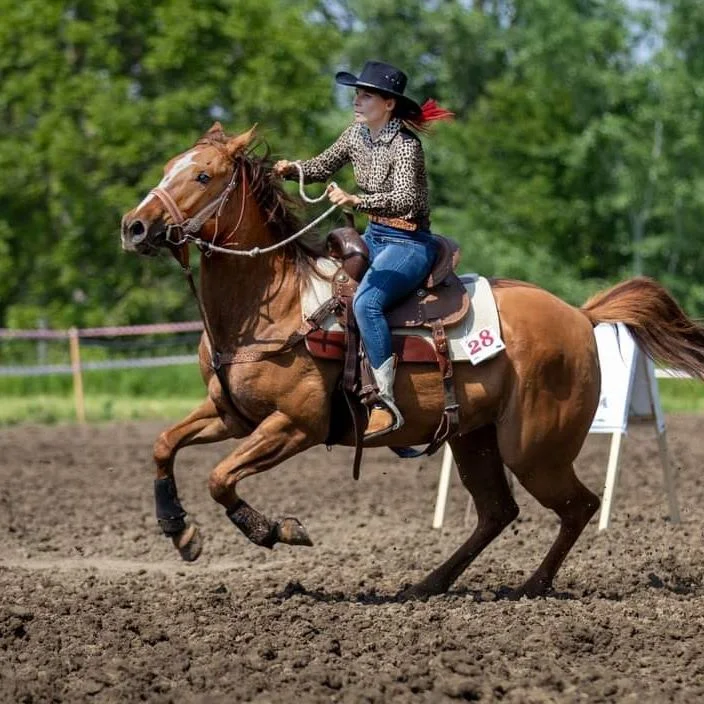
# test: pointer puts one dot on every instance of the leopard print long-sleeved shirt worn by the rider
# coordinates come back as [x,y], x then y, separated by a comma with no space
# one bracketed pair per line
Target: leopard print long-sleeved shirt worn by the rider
[390,171]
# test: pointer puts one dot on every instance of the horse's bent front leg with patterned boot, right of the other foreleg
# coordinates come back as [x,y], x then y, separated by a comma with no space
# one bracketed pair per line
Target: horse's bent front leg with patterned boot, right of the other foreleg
[274,440]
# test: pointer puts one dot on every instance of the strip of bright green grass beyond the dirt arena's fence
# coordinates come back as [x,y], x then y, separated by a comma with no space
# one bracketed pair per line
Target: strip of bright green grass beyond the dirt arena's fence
[169,393]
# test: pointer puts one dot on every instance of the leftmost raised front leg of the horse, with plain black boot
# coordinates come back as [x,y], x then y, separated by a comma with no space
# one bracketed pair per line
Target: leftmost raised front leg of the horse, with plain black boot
[201,426]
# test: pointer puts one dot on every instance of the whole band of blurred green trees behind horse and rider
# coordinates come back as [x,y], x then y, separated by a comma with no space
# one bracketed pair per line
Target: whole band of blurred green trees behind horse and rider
[575,159]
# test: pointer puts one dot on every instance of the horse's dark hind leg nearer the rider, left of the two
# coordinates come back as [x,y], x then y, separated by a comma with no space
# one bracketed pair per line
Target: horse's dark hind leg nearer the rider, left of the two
[481,470]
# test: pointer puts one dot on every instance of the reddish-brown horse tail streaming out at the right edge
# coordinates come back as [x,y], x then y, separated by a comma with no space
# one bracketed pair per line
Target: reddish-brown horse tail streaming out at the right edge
[654,318]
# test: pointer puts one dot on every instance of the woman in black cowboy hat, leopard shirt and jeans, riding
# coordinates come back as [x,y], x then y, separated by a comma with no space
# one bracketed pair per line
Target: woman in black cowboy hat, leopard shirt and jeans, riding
[389,168]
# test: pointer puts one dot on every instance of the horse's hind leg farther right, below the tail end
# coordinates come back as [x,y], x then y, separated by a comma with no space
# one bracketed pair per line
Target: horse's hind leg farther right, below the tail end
[560,490]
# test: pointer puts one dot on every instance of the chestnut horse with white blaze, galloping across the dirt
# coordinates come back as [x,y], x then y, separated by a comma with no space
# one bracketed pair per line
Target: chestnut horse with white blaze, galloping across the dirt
[528,409]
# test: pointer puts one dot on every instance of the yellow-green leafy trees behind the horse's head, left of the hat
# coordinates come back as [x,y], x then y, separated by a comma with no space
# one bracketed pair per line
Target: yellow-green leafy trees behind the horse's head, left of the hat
[95,97]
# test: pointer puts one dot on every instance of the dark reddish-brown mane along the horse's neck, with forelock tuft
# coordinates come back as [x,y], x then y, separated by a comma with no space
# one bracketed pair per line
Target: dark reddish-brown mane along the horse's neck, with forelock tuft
[278,206]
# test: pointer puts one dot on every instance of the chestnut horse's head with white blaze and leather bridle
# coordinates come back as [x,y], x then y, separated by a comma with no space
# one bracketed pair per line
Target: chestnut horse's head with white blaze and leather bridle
[190,198]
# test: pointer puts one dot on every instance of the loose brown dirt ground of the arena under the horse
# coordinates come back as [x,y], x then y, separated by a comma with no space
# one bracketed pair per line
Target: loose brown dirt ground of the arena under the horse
[95,605]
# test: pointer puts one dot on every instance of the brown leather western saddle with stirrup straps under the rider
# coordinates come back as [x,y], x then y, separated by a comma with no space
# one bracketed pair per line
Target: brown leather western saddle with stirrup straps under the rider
[441,301]
